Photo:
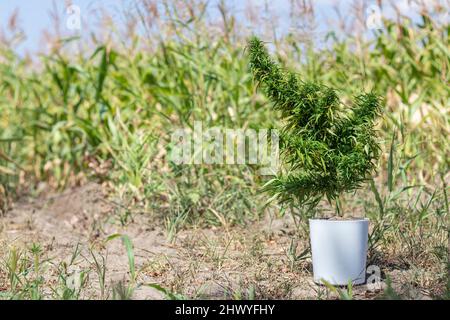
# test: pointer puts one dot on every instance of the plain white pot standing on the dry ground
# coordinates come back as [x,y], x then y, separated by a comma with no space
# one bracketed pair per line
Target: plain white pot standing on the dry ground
[339,250]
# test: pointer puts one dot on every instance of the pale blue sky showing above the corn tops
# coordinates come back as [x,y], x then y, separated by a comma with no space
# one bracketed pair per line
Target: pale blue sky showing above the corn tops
[34,15]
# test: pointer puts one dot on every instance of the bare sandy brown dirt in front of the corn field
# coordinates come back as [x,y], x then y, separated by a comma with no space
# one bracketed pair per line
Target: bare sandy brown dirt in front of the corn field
[262,260]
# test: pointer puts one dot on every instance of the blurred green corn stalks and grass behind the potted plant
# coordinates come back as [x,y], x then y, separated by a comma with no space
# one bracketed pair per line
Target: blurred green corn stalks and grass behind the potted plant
[107,113]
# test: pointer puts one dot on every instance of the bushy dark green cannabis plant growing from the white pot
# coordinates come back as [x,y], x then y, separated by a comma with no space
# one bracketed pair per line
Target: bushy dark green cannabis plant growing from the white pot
[327,147]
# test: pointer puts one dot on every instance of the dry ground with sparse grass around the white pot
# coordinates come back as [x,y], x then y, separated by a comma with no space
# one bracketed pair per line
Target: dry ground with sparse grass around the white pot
[263,260]
